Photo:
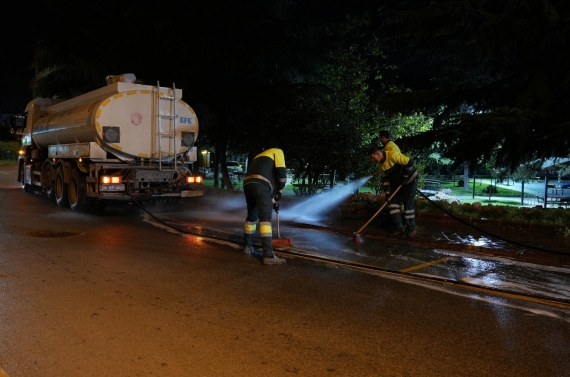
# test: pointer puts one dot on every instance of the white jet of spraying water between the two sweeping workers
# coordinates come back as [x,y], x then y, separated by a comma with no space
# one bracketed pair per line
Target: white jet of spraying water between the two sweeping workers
[312,209]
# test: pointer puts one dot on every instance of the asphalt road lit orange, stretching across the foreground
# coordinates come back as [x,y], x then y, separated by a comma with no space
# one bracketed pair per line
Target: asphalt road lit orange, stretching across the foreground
[126,295]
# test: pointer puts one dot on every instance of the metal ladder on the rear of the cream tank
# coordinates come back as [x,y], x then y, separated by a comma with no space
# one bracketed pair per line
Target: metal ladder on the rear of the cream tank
[165,130]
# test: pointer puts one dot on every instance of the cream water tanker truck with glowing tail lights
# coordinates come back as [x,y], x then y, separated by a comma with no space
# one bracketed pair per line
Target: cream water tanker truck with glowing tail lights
[125,141]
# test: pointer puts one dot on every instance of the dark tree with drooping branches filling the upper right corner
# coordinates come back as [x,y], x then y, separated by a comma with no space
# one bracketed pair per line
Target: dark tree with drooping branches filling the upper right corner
[501,79]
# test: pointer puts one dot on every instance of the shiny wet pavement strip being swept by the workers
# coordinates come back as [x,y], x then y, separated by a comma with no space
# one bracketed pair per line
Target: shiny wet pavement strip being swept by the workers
[221,217]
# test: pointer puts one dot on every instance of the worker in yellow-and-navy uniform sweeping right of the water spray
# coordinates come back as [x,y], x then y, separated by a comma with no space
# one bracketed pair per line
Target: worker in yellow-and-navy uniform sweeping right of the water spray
[397,170]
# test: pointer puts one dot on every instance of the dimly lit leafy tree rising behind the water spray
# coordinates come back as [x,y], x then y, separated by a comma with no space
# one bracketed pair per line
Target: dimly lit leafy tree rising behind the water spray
[333,106]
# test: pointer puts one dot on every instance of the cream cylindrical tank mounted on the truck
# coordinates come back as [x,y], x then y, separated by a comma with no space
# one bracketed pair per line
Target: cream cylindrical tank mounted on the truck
[124,118]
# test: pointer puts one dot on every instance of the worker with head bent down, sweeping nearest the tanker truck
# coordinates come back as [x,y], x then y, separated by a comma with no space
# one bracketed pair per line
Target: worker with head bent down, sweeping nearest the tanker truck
[263,185]
